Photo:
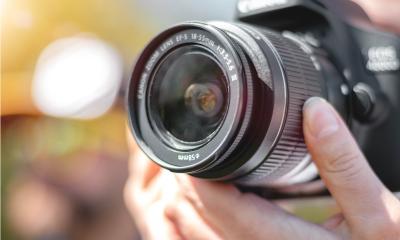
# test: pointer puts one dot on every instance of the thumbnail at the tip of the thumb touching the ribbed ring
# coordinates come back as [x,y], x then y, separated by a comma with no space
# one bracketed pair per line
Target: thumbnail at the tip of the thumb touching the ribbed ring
[320,118]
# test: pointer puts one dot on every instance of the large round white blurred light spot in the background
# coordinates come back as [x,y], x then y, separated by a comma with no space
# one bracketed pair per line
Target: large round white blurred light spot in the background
[77,77]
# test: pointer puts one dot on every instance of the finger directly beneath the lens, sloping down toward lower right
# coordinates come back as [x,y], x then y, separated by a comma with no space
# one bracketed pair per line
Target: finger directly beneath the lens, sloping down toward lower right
[245,216]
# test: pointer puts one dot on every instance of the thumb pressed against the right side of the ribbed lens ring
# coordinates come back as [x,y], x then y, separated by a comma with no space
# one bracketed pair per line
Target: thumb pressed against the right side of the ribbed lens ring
[359,193]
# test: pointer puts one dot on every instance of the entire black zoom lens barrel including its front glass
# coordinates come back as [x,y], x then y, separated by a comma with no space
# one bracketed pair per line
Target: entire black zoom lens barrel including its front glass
[223,101]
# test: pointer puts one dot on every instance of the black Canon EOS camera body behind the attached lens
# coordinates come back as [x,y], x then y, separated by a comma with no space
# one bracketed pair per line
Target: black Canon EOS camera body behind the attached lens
[367,60]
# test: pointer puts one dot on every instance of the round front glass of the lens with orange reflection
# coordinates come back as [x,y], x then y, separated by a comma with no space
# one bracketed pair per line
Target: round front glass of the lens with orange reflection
[187,97]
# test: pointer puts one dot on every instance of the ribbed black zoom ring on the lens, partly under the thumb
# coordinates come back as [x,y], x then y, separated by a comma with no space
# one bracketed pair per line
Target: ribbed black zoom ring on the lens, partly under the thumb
[303,82]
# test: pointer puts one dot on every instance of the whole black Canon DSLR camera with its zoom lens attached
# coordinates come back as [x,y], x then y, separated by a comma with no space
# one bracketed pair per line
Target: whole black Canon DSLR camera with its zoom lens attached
[223,100]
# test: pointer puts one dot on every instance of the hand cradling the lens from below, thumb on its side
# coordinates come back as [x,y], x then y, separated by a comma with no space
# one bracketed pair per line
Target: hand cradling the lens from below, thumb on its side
[176,206]
